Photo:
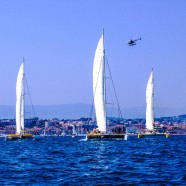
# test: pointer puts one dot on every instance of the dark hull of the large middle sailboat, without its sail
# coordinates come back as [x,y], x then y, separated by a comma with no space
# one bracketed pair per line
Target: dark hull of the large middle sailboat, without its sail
[105,136]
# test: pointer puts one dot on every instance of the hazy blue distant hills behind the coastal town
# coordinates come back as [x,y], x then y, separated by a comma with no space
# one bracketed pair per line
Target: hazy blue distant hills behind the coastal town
[75,111]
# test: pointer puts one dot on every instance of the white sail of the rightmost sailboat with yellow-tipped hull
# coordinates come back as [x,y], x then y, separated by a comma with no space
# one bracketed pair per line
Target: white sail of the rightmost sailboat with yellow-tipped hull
[150,103]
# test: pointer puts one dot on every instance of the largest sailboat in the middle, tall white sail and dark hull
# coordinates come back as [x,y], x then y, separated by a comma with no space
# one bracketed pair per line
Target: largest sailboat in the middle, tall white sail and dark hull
[99,94]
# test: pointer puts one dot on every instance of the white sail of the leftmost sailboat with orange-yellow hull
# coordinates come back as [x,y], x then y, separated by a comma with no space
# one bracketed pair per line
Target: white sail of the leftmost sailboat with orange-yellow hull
[20,100]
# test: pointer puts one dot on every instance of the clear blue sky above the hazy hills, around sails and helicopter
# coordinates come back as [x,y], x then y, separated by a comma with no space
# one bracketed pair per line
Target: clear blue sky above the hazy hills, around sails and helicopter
[58,39]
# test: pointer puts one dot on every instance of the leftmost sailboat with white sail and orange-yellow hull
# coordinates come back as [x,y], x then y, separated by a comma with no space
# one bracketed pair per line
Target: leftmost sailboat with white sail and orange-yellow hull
[20,107]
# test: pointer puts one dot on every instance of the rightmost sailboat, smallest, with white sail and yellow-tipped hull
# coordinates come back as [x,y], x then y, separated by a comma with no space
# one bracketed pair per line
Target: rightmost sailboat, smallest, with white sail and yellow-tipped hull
[150,129]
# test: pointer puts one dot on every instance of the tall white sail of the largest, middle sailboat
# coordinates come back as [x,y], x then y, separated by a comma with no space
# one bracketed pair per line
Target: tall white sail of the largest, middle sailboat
[99,85]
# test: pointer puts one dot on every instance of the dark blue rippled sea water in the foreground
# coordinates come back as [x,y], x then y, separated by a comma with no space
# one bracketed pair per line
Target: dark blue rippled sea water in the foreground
[70,161]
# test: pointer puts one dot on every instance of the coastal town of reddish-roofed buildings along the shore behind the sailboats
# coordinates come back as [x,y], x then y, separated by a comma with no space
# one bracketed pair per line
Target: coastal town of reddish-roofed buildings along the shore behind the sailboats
[65,127]
